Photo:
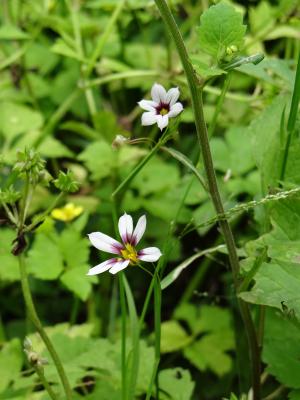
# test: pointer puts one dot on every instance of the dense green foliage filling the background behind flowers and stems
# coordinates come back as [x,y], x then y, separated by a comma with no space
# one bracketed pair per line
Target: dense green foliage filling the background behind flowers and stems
[71,74]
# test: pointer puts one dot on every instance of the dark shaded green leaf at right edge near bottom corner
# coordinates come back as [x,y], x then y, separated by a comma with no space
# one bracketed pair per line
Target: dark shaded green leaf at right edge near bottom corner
[281,351]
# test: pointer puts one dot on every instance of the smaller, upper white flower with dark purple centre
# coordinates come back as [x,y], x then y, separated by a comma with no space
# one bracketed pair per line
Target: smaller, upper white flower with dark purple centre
[162,106]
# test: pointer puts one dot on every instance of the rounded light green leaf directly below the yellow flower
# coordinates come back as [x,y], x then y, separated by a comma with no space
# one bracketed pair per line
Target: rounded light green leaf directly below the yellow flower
[44,259]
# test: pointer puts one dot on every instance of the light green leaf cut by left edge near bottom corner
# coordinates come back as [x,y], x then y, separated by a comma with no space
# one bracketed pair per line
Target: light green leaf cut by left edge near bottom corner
[11,360]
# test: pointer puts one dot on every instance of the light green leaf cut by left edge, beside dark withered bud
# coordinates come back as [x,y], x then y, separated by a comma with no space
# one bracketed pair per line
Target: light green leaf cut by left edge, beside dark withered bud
[9,266]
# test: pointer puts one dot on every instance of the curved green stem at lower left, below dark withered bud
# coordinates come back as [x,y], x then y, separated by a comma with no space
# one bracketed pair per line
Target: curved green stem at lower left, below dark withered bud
[37,323]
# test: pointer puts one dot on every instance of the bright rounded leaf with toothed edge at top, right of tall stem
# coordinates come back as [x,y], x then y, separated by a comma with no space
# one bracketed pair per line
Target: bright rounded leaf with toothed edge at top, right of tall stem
[221,26]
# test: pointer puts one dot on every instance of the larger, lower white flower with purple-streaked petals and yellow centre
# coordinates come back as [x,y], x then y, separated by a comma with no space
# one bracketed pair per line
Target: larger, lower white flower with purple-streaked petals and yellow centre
[126,251]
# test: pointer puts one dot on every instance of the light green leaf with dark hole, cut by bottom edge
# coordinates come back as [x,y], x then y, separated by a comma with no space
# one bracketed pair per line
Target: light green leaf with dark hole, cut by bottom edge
[176,384]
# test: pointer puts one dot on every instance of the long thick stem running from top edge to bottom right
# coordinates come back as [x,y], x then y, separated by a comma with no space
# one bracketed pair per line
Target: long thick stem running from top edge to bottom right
[196,95]
